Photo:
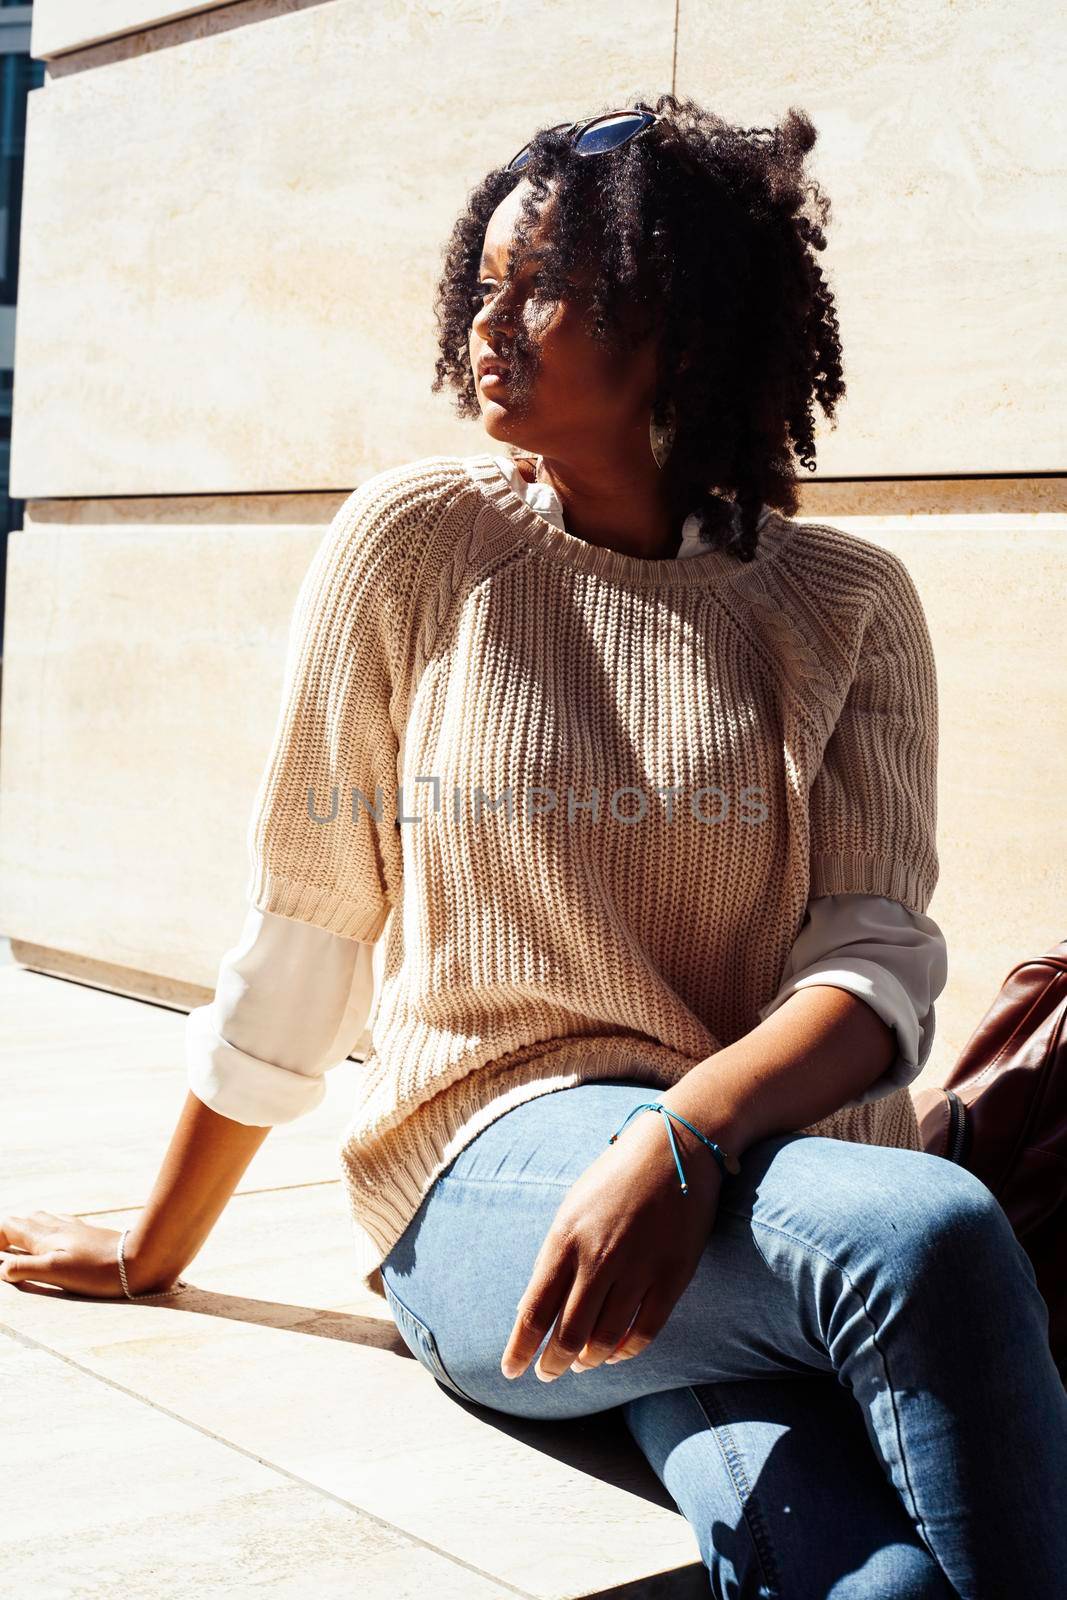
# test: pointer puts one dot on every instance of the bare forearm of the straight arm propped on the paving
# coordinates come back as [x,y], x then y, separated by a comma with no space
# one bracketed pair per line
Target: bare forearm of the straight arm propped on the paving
[202,1167]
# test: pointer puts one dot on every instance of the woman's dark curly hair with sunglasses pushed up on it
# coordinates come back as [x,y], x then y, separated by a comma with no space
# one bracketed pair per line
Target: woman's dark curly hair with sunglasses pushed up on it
[706,233]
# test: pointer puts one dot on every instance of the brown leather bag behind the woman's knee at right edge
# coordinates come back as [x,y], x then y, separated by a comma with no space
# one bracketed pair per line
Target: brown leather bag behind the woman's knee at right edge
[1012,1079]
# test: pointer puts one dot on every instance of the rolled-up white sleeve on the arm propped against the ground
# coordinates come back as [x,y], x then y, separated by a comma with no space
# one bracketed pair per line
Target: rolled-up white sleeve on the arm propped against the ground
[292,1001]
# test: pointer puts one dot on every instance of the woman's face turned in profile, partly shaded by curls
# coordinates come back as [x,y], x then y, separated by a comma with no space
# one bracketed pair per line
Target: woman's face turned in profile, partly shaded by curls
[565,396]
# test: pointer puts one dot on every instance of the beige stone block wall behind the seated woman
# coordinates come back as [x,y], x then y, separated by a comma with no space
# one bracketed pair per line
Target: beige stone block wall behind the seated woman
[231,234]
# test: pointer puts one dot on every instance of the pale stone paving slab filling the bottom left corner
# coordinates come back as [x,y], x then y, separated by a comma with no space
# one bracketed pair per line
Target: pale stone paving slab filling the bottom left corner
[114,1498]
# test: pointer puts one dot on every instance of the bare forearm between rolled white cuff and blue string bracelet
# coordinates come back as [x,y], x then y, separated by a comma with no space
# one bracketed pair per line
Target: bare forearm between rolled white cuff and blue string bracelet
[817,1052]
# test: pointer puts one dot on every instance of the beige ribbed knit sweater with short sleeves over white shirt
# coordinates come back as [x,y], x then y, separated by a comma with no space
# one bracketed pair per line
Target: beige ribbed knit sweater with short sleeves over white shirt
[597,791]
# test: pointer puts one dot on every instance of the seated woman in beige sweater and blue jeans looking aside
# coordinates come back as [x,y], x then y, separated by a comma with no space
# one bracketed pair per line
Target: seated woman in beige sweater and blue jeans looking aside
[645,772]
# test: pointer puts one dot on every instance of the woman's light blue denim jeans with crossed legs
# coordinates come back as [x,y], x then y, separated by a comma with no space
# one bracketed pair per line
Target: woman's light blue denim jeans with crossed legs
[853,1396]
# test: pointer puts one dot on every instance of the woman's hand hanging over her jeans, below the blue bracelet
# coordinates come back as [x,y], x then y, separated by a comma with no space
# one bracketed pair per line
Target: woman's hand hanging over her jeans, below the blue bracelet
[621,1250]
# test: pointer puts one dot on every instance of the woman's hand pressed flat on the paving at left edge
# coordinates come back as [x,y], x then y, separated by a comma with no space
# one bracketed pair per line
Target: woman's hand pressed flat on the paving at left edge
[68,1254]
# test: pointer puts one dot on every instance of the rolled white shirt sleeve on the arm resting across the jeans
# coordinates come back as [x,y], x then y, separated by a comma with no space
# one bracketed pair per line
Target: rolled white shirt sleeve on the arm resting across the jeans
[892,958]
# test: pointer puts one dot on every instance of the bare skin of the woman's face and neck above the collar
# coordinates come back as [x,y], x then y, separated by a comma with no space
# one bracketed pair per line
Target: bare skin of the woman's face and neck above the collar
[588,415]
